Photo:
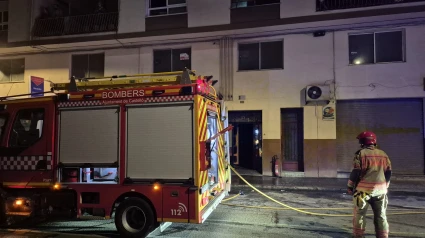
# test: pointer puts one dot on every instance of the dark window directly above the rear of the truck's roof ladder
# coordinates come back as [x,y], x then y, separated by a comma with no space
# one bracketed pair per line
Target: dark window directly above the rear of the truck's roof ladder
[171,60]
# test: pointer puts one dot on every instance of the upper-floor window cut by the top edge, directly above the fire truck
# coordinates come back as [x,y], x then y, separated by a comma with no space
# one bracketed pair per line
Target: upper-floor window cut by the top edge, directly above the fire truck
[166,7]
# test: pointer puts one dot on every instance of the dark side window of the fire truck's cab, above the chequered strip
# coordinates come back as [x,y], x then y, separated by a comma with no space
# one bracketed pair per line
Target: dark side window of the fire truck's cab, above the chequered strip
[27,128]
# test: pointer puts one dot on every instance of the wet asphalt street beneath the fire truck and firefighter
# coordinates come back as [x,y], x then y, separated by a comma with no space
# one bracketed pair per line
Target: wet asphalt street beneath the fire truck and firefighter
[252,215]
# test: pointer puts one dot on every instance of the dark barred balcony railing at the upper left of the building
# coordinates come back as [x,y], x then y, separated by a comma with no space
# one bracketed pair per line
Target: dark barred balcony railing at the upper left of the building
[72,25]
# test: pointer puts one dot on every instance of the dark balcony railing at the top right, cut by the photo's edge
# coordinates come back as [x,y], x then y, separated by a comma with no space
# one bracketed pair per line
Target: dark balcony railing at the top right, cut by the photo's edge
[327,5]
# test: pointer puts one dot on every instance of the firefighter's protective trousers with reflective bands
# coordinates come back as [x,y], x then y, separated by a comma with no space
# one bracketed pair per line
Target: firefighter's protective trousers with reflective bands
[379,206]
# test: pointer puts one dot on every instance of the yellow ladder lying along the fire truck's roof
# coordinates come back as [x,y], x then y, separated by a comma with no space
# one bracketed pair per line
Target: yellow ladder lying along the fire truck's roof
[124,81]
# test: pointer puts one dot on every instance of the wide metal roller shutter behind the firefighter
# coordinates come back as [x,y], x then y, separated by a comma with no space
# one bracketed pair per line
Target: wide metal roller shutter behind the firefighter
[398,124]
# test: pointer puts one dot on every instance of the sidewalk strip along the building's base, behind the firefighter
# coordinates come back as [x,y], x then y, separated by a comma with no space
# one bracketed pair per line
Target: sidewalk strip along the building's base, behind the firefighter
[318,184]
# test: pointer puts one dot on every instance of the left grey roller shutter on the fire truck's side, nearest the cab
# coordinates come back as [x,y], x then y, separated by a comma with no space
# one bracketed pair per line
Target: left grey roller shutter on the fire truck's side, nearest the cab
[89,135]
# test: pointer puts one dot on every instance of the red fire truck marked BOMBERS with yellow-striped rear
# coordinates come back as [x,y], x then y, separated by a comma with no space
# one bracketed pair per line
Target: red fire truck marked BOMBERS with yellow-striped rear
[146,149]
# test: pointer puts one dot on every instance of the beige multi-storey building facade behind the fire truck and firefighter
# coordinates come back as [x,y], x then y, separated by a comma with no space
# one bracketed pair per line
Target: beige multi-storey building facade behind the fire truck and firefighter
[367,57]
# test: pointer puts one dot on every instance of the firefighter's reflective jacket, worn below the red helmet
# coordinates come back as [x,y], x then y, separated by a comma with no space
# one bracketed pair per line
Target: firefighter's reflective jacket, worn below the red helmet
[372,171]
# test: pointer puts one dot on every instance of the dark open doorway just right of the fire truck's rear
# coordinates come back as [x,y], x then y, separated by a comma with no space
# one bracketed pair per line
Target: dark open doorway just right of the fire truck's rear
[246,142]
